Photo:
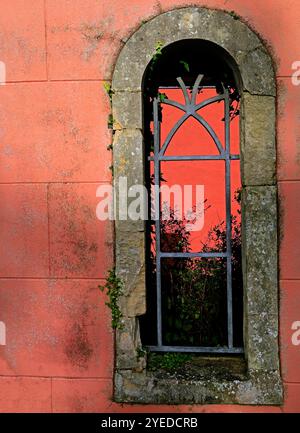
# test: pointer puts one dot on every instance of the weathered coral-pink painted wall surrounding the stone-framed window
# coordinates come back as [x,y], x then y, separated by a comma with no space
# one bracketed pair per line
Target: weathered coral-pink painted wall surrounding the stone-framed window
[54,252]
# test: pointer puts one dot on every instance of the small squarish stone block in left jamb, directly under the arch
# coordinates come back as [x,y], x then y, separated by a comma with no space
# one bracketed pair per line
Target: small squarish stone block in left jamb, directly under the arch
[126,109]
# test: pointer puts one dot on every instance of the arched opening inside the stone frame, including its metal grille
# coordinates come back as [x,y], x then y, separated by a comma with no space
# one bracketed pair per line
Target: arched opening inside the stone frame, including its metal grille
[194,271]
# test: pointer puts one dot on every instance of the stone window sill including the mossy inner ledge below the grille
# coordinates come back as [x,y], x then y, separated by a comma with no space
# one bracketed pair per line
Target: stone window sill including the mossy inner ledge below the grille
[205,381]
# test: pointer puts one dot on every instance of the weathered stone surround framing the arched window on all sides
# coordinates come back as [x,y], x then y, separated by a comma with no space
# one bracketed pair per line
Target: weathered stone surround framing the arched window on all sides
[259,203]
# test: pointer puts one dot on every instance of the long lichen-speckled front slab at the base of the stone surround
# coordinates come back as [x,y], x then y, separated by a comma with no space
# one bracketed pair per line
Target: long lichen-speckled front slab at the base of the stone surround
[257,388]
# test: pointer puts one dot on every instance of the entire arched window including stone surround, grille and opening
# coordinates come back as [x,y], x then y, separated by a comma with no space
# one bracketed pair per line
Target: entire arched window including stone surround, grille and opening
[218,58]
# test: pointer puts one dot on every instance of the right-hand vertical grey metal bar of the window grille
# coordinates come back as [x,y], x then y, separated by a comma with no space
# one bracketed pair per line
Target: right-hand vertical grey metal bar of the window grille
[228,221]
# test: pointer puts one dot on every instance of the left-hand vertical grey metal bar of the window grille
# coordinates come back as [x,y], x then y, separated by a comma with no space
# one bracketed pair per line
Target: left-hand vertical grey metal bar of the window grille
[157,219]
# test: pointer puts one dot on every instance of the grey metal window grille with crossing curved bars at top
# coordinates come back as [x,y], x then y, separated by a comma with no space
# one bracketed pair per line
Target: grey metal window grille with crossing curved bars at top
[191,108]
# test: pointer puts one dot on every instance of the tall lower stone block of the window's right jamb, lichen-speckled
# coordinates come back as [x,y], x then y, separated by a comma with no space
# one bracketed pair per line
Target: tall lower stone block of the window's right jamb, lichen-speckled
[260,276]
